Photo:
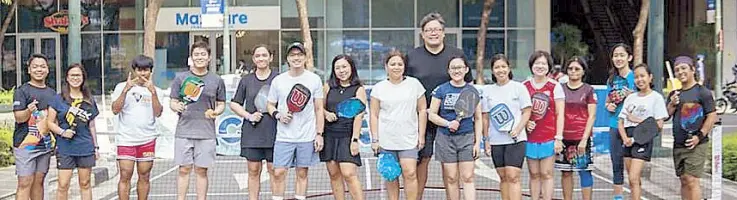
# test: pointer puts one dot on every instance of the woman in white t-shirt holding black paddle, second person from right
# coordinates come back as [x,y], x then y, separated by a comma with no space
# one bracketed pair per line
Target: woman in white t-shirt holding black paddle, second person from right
[643,104]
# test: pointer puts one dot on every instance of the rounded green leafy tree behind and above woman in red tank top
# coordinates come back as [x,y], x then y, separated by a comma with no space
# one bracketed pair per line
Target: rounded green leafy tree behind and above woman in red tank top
[567,43]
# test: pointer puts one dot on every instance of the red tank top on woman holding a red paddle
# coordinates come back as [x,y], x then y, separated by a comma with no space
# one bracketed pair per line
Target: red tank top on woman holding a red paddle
[545,127]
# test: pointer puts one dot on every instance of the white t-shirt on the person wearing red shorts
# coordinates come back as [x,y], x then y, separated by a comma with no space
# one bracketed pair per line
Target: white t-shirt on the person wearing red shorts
[136,121]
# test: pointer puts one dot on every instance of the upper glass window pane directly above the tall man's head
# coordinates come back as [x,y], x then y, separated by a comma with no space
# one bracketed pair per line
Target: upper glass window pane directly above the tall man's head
[447,8]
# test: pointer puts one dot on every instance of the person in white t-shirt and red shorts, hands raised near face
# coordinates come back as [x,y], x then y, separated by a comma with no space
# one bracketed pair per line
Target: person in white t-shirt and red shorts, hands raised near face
[137,106]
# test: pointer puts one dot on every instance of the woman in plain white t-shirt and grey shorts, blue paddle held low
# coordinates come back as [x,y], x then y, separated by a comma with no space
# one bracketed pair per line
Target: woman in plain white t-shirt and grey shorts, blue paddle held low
[398,118]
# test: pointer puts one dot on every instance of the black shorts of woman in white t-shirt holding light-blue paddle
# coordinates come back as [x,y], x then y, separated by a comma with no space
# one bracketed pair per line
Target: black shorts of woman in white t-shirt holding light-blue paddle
[508,155]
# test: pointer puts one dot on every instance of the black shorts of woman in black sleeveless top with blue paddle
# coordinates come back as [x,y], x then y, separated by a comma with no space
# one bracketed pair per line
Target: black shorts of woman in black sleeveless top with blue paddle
[339,149]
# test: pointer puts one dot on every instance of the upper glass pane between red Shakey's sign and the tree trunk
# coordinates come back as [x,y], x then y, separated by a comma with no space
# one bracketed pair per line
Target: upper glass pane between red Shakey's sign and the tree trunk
[123,15]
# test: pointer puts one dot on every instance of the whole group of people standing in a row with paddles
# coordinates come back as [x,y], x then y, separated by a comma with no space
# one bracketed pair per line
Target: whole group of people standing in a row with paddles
[411,116]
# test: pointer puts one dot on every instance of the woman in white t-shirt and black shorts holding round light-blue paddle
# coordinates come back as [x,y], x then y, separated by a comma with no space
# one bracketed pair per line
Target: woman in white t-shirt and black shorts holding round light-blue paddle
[504,120]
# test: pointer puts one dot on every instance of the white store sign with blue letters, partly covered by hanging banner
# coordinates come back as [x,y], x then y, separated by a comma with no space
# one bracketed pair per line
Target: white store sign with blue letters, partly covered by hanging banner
[249,18]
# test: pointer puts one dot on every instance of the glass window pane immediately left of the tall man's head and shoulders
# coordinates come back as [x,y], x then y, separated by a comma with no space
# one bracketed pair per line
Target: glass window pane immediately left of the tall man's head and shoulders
[384,41]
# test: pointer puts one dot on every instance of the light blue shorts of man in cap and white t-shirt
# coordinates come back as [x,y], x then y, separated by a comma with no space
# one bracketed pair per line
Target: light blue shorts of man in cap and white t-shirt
[289,154]
